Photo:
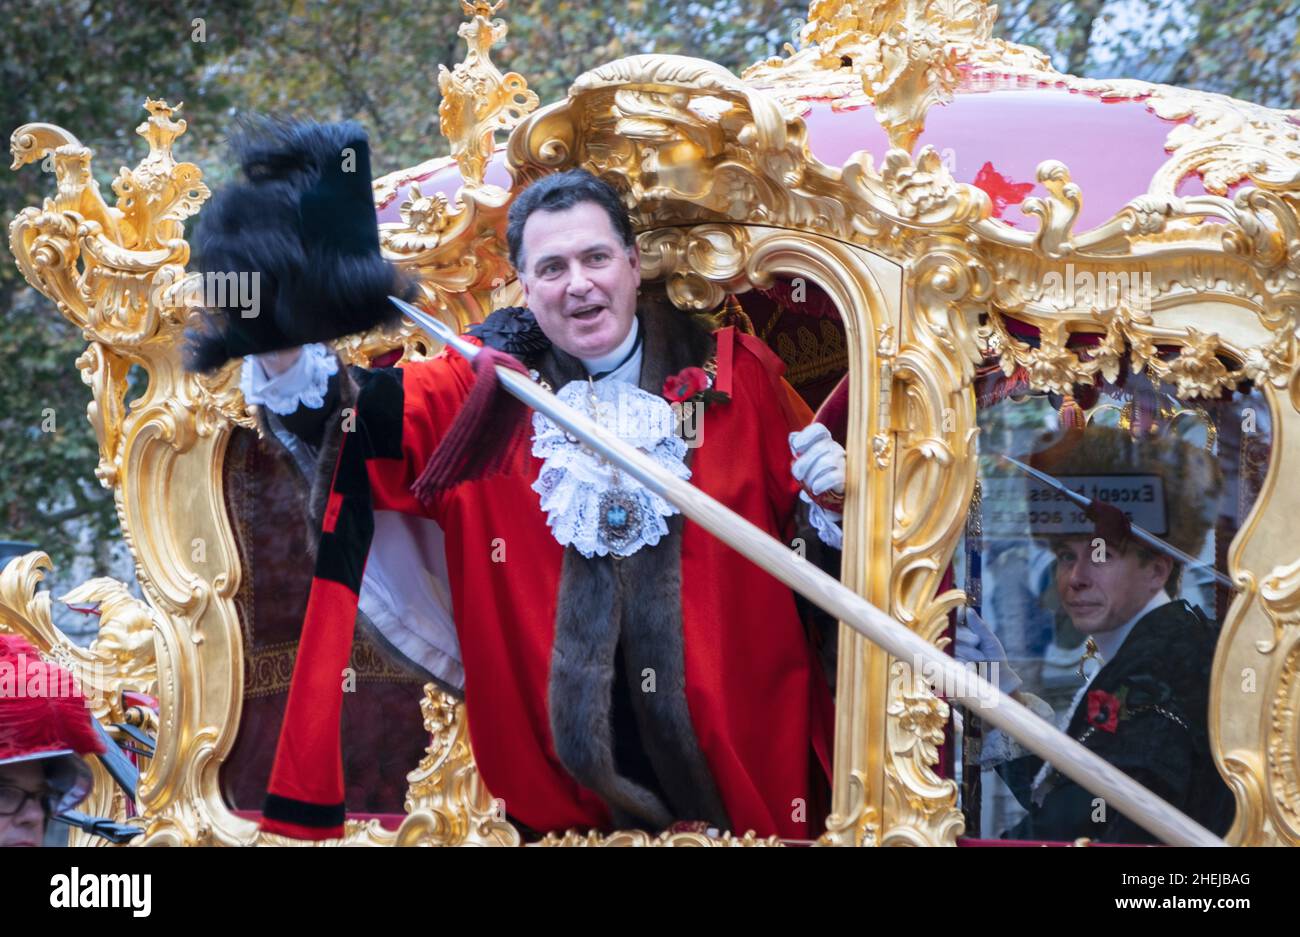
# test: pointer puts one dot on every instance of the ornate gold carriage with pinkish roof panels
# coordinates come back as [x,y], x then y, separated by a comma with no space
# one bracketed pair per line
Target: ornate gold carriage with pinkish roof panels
[964,216]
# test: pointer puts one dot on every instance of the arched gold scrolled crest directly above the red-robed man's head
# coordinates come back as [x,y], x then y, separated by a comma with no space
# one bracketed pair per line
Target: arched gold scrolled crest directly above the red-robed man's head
[686,142]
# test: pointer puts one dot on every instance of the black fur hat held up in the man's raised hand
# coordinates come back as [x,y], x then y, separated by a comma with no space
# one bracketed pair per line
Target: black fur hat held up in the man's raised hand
[292,255]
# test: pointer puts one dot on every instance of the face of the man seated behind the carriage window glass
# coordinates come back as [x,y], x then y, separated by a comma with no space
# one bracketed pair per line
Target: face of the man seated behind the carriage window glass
[1102,589]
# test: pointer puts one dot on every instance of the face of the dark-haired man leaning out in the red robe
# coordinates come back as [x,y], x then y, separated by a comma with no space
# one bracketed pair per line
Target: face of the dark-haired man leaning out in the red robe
[579,279]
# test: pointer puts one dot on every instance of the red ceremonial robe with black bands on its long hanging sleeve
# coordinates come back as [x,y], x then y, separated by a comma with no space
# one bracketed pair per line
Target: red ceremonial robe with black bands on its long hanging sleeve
[756,695]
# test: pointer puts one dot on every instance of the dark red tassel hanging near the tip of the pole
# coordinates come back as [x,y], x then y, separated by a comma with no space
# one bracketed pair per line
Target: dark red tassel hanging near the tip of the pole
[486,433]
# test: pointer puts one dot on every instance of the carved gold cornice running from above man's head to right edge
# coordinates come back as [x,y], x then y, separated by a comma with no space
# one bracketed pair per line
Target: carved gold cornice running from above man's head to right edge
[668,138]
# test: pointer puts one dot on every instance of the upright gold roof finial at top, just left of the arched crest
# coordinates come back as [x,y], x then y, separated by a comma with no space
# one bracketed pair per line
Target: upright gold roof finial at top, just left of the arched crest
[478,99]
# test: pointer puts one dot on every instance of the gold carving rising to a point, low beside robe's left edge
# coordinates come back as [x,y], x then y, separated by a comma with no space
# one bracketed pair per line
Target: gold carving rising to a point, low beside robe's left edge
[448,804]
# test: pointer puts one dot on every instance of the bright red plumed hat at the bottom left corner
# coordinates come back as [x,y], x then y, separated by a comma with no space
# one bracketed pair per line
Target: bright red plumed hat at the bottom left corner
[44,717]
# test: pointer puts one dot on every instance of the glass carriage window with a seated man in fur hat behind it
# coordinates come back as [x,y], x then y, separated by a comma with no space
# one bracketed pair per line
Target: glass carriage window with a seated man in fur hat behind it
[1095,559]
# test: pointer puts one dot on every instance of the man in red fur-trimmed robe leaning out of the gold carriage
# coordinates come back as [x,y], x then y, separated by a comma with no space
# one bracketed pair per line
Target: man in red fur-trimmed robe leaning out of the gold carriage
[621,666]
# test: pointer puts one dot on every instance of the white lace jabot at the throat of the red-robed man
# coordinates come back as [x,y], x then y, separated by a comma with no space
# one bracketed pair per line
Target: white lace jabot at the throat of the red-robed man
[574,480]
